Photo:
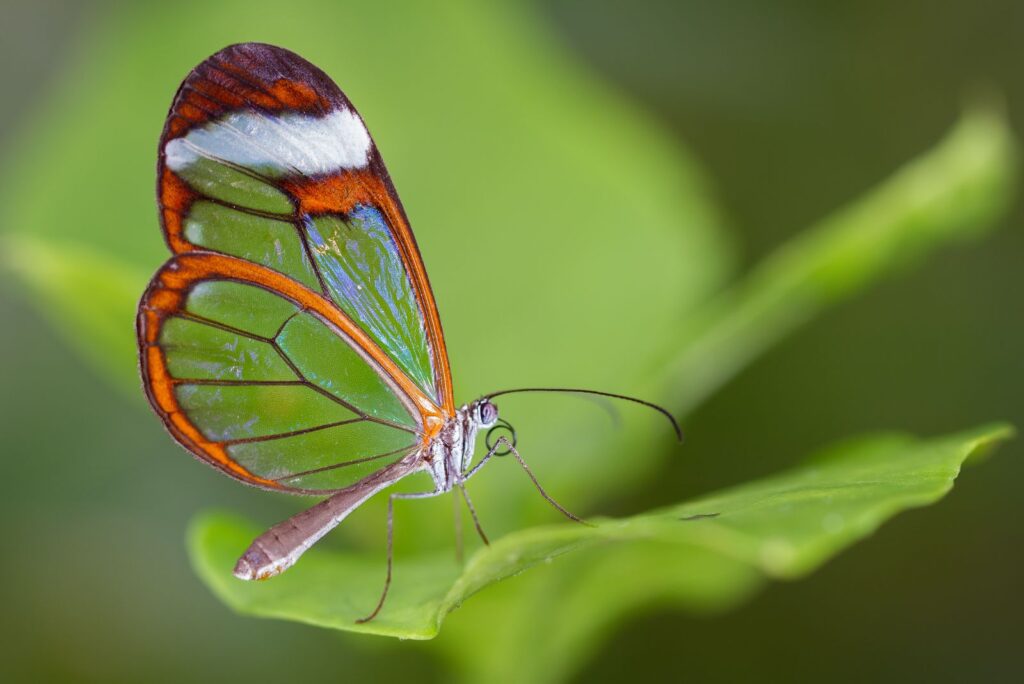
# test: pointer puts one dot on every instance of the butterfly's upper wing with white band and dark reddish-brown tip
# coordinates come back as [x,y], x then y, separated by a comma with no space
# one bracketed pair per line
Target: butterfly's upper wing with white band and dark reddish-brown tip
[264,158]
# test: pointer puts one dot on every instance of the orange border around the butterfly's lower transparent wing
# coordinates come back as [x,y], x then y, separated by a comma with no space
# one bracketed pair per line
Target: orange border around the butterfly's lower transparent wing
[166,296]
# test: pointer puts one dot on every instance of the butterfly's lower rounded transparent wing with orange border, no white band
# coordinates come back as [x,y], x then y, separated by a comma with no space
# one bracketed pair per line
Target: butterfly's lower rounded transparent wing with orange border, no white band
[265,379]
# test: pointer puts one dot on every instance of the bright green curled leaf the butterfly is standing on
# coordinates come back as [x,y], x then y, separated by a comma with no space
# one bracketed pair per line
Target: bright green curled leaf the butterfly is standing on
[703,555]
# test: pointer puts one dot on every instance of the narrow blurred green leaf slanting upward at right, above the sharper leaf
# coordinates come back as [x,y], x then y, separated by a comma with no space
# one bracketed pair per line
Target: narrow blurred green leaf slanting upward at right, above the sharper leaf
[957,191]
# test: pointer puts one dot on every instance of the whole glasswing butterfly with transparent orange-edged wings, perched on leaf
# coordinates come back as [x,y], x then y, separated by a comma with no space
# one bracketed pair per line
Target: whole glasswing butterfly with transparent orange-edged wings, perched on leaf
[293,341]
